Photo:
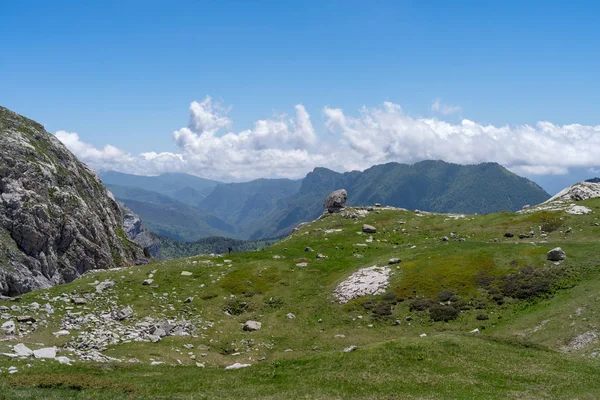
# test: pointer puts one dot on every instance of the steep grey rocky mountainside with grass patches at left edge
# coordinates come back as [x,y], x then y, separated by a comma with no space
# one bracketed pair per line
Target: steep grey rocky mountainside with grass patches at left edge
[57,220]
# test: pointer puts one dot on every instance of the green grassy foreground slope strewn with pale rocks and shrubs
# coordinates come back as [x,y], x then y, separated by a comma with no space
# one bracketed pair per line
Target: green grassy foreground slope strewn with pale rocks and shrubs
[457,306]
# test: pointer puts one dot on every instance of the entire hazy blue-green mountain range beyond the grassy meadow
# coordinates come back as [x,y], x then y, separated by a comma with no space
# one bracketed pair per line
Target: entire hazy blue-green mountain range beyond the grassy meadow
[267,208]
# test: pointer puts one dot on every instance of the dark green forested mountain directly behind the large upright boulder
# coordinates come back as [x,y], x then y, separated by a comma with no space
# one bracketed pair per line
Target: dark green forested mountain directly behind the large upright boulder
[434,186]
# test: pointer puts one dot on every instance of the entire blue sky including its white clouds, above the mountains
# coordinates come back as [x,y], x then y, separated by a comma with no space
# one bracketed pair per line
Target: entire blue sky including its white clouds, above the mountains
[125,73]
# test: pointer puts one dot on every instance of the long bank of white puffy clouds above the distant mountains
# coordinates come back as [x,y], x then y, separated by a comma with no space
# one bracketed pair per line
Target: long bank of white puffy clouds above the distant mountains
[288,146]
